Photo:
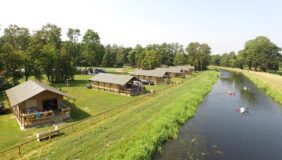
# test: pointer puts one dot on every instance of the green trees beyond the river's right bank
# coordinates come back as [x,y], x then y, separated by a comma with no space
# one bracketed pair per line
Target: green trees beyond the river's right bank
[258,54]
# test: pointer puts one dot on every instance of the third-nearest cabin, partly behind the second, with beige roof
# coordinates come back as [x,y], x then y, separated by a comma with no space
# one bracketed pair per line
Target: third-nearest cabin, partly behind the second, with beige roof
[155,76]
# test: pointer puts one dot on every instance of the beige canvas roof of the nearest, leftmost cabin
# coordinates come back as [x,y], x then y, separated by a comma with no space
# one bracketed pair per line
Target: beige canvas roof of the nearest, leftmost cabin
[27,90]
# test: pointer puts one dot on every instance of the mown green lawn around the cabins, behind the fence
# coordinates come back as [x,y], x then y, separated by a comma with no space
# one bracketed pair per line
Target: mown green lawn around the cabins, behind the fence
[88,102]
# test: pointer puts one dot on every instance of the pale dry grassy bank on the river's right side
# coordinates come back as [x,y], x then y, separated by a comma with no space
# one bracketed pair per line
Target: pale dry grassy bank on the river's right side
[270,83]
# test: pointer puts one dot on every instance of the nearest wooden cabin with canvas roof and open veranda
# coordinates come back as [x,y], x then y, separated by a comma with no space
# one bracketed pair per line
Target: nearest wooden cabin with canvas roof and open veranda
[36,104]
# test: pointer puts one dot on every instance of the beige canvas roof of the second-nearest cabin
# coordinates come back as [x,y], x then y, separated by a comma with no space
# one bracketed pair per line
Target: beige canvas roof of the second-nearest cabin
[112,78]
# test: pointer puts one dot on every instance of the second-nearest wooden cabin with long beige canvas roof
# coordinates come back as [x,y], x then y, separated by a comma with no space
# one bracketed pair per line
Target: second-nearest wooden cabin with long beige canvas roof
[122,84]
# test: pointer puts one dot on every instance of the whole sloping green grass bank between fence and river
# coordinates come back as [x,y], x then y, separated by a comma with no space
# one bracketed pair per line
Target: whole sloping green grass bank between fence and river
[134,134]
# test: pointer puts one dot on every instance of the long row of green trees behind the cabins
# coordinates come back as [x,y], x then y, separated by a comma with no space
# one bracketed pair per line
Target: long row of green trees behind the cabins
[43,52]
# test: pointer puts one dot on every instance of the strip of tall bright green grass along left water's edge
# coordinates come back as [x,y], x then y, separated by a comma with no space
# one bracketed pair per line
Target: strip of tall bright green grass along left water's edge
[164,125]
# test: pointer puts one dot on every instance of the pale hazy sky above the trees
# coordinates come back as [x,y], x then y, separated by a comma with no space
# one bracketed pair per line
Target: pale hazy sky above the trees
[224,24]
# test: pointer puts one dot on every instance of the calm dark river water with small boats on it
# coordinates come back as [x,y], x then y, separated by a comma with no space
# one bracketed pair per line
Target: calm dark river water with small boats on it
[220,132]
